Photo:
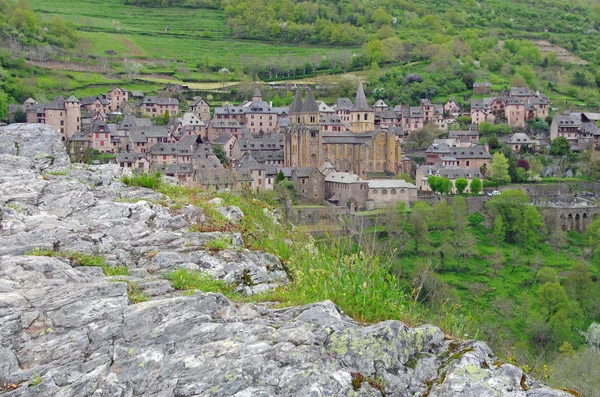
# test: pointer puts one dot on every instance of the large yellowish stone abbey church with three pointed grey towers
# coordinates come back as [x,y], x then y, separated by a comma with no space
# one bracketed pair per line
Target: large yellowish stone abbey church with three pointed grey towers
[363,152]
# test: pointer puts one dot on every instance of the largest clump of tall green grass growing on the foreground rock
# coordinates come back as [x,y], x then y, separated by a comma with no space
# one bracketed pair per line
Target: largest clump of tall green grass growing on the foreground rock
[359,283]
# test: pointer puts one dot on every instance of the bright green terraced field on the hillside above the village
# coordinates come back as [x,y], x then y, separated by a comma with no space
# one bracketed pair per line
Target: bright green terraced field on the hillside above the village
[192,34]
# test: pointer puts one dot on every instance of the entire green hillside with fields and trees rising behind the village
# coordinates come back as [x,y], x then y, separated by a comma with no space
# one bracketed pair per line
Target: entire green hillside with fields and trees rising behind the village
[212,43]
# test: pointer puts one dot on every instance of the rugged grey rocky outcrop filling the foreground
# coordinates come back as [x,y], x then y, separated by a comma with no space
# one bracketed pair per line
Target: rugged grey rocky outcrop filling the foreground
[71,331]
